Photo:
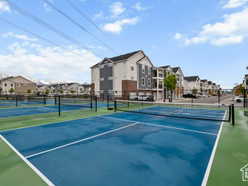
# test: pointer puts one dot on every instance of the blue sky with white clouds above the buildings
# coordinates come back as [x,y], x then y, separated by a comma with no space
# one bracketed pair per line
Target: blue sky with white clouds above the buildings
[207,38]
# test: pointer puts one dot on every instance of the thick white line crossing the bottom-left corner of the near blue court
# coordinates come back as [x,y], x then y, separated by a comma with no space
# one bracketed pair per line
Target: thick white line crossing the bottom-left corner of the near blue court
[42,176]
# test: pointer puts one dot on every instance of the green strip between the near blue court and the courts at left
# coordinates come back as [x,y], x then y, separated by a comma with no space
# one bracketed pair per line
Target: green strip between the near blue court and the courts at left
[39,119]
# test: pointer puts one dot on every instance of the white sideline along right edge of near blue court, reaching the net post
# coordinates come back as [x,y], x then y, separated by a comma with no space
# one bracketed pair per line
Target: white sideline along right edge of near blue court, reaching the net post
[211,160]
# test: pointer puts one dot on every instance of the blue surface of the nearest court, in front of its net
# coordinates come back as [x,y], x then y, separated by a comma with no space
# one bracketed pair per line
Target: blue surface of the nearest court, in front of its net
[121,149]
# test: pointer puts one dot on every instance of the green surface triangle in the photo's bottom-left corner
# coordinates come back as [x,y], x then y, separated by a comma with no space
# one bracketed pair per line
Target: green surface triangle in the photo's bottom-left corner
[14,171]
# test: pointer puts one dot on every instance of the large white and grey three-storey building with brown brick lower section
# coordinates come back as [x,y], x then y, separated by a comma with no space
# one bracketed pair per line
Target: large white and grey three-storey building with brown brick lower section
[123,76]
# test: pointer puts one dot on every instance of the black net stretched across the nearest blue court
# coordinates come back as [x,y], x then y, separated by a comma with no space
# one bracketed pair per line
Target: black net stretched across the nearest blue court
[211,112]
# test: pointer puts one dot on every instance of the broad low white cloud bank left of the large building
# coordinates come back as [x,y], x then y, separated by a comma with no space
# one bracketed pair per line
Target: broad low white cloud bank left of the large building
[48,63]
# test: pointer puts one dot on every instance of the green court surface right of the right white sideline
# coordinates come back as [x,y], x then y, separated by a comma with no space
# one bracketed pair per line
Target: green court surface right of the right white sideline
[231,154]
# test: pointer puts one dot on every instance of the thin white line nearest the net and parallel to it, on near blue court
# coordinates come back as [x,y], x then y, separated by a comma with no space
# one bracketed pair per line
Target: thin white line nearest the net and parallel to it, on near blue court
[162,126]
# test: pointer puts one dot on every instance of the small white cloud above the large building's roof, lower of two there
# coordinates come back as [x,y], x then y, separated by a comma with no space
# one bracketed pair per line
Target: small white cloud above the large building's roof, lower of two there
[117,26]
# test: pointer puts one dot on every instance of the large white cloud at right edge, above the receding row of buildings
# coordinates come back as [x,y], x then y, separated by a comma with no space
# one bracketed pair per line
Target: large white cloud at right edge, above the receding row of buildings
[232,30]
